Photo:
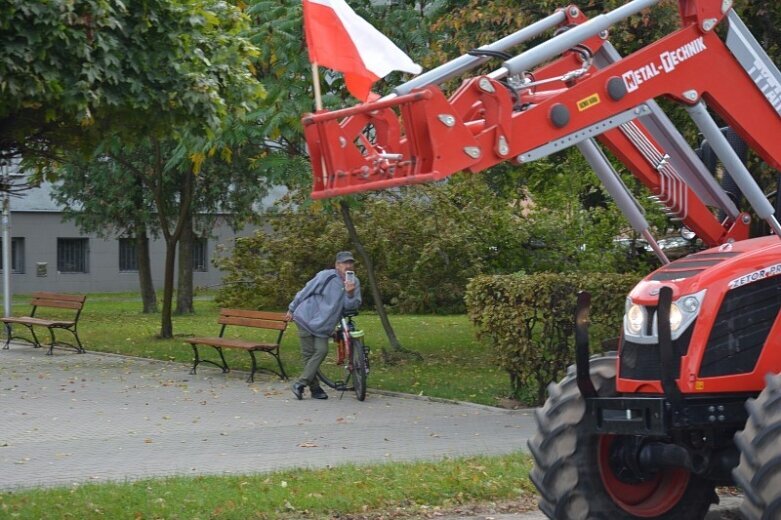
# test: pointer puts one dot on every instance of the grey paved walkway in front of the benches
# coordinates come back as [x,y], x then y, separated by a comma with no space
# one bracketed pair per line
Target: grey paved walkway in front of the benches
[69,418]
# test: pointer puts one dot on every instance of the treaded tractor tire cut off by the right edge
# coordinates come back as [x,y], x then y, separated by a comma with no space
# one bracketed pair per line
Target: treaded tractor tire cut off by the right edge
[759,470]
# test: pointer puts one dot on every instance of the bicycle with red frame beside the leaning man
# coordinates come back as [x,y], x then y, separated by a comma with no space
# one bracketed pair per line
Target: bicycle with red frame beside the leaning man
[346,367]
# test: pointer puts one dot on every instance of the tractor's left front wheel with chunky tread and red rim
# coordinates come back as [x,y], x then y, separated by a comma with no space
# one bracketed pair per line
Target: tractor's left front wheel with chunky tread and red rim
[572,469]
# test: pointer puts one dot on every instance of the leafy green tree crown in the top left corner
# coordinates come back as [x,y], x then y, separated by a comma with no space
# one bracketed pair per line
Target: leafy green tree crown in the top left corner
[75,71]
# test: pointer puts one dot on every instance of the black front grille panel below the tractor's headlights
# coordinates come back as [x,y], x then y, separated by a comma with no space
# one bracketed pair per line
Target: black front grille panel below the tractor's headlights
[642,362]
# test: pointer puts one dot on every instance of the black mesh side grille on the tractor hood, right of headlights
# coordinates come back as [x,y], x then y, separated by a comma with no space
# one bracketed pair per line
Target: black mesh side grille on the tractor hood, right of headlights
[741,328]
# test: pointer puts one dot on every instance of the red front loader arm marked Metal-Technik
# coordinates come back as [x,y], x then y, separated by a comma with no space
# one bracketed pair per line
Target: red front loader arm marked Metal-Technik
[570,91]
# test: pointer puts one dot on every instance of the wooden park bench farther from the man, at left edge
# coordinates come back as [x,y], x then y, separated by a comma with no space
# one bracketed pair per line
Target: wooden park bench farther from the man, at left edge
[49,300]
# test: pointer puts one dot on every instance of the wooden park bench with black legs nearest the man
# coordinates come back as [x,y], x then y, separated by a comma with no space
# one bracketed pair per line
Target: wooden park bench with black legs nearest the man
[243,318]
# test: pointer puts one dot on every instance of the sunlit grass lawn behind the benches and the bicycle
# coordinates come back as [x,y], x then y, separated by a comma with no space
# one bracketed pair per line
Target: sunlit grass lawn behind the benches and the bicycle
[454,366]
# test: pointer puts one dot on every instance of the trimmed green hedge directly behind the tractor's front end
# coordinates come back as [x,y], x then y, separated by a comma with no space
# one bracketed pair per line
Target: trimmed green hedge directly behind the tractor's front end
[529,320]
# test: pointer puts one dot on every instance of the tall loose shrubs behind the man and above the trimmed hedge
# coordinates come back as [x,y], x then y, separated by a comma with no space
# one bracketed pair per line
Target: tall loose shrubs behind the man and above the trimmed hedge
[427,241]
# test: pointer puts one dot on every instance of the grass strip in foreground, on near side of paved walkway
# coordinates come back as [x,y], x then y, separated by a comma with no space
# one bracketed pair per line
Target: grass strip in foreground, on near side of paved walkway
[392,490]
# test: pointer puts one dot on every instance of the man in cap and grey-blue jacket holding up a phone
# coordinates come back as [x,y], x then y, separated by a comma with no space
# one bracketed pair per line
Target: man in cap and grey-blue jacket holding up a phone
[316,309]
